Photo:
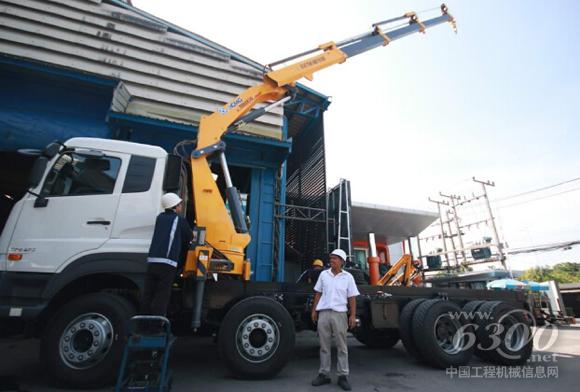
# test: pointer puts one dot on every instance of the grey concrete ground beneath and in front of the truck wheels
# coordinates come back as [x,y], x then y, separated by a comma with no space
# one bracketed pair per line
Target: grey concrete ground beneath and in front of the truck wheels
[197,367]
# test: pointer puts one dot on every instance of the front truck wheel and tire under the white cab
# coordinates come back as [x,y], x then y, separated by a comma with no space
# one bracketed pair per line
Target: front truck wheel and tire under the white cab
[83,343]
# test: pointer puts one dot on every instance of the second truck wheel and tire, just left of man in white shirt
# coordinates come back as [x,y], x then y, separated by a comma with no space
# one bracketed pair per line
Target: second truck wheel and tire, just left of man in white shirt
[256,338]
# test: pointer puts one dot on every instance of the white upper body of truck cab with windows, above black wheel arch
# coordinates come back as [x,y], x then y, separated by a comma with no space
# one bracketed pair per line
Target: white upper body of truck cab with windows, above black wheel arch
[96,195]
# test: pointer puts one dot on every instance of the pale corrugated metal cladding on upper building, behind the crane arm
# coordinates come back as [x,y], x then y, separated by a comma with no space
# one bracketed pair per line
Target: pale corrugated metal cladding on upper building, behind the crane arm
[165,74]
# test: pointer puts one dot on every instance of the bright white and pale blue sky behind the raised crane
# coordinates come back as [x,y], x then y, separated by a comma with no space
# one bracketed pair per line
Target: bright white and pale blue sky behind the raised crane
[499,101]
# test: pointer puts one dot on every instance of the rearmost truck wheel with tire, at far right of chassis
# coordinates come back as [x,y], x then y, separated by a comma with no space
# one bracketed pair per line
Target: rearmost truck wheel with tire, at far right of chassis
[512,343]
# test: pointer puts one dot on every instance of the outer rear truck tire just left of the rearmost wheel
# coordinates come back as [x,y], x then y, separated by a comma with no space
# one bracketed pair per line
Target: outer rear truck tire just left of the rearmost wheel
[438,333]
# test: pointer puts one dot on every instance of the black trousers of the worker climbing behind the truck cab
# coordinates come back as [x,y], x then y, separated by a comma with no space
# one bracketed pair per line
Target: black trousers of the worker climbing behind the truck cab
[157,292]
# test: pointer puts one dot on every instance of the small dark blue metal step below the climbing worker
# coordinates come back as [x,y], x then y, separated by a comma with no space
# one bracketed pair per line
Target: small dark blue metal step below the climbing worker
[145,363]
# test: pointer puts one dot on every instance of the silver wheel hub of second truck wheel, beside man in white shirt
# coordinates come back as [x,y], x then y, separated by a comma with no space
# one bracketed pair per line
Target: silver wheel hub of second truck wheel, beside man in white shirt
[257,338]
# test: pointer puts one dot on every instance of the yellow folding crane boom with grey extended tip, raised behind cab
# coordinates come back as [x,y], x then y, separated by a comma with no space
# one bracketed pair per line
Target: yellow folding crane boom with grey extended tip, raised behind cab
[220,233]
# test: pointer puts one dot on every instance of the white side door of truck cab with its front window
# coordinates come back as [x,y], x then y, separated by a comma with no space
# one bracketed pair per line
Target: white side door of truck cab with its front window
[81,193]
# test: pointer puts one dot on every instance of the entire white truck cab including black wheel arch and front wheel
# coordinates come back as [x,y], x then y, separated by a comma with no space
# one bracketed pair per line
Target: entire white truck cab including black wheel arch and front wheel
[77,241]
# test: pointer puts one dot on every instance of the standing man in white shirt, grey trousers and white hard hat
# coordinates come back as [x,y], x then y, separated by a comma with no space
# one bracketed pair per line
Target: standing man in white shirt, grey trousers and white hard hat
[334,290]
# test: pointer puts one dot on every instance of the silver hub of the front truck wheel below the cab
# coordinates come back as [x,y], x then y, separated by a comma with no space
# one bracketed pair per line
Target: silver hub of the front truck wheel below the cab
[86,340]
